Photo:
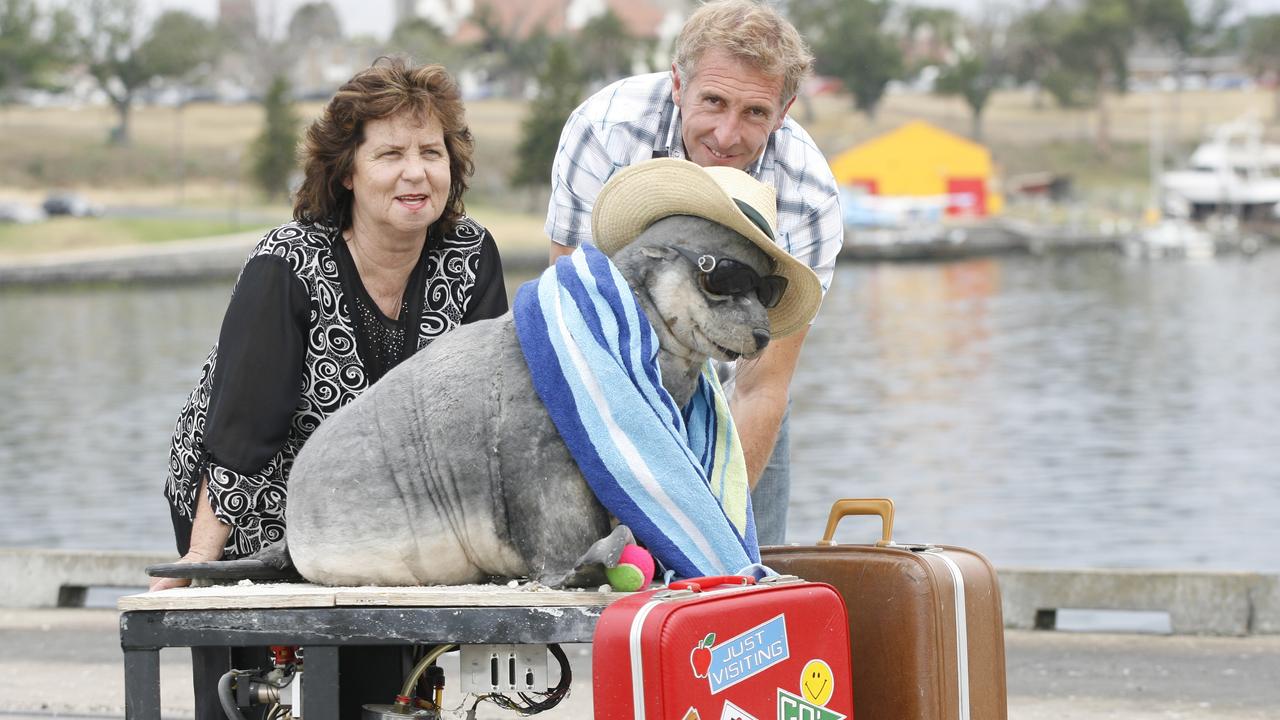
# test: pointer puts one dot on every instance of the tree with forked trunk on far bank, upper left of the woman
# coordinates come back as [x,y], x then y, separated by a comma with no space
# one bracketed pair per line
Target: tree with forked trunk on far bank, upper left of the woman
[124,65]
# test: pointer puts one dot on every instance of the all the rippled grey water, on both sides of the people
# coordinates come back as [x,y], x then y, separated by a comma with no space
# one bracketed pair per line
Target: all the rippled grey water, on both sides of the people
[1071,412]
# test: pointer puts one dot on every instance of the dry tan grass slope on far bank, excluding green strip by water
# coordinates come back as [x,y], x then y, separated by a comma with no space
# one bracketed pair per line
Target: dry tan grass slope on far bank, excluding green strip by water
[205,147]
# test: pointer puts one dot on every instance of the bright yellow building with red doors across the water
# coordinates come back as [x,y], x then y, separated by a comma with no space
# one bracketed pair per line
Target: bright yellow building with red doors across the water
[921,161]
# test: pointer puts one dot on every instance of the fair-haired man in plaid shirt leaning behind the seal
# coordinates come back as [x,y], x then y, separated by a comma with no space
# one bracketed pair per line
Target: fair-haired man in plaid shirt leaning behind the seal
[738,69]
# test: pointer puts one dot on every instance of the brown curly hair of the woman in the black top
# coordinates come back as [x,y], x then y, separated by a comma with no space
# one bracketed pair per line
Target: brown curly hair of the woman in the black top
[388,88]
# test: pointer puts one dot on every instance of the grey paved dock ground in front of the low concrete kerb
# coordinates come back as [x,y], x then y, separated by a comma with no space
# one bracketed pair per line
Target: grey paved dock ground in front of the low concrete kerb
[67,663]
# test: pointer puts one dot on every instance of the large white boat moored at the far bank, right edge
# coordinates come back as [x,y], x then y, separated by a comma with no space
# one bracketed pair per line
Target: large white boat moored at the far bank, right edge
[1235,174]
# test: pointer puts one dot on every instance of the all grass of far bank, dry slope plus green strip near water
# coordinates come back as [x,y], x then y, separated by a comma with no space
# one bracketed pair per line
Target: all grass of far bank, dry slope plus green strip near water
[196,157]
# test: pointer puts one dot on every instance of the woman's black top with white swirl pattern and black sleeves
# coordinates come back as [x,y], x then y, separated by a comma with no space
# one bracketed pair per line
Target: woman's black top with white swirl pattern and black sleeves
[294,349]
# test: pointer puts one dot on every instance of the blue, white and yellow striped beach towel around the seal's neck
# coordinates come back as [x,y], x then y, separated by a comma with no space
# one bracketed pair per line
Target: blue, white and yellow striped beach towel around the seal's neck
[676,477]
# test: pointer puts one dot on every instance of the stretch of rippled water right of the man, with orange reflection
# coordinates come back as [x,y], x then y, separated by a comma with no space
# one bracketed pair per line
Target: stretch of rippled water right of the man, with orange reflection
[1072,412]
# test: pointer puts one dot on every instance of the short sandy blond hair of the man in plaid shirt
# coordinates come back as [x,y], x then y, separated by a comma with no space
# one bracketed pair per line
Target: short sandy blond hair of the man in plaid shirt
[753,34]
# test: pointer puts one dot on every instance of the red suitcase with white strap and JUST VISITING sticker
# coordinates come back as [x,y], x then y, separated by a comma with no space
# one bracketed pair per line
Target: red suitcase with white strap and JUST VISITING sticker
[725,649]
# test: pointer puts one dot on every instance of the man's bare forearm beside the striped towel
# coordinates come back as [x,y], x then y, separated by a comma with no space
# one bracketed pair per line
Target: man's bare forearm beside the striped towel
[761,391]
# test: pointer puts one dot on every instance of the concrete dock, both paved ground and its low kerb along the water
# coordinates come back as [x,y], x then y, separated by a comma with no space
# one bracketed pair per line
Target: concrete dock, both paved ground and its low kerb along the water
[1219,655]
